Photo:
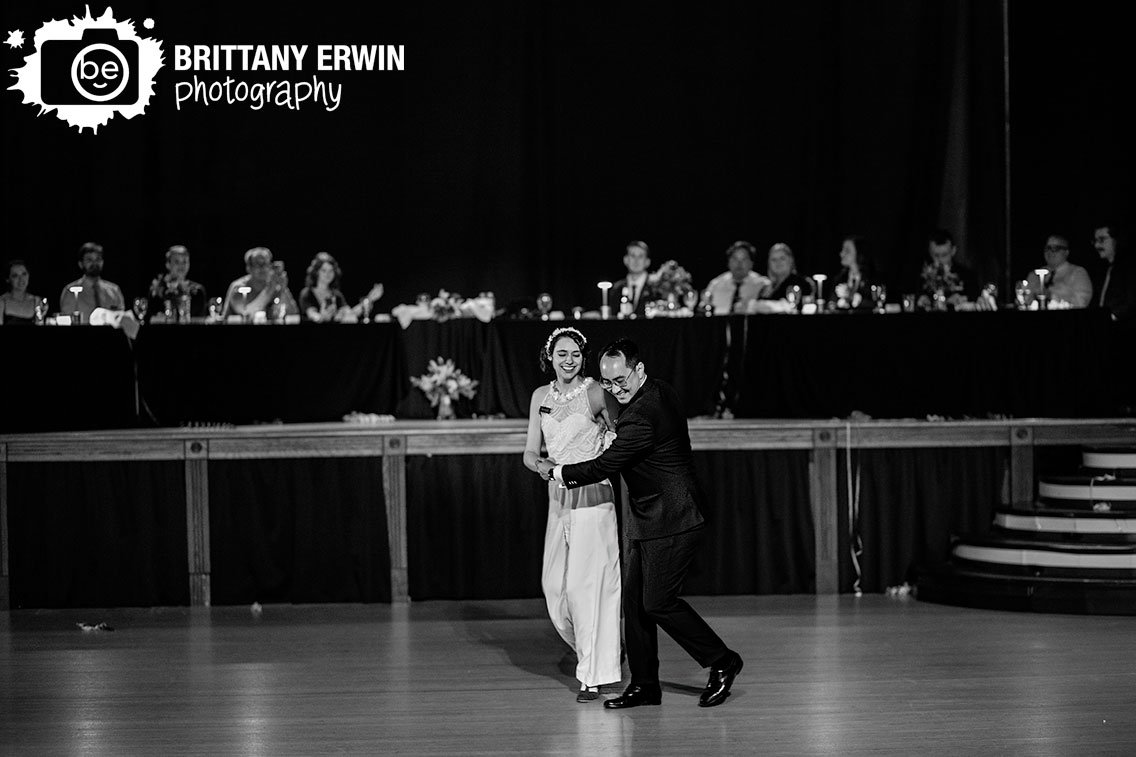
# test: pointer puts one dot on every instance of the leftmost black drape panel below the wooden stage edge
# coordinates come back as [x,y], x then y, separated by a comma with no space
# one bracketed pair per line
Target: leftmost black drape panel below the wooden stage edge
[97,535]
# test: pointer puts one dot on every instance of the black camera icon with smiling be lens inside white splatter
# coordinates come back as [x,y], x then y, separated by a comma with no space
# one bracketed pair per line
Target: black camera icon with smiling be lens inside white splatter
[99,69]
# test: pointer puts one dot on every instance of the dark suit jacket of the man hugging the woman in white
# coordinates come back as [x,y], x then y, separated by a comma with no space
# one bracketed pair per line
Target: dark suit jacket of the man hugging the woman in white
[653,452]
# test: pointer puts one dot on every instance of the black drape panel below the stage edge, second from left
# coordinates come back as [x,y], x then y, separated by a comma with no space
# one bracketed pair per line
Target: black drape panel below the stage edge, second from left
[298,531]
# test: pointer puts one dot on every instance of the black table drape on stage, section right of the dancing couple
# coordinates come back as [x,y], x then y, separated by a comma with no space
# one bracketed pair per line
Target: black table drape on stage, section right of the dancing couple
[1057,364]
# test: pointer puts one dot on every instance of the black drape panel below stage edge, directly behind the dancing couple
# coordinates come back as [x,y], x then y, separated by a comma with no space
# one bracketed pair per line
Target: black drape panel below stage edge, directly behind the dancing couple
[475,527]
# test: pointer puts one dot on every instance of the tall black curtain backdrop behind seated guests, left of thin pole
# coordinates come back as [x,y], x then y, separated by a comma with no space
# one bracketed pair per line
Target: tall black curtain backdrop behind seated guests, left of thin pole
[525,144]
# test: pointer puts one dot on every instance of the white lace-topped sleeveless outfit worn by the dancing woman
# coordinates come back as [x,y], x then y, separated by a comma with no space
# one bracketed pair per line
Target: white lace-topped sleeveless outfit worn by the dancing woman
[581,576]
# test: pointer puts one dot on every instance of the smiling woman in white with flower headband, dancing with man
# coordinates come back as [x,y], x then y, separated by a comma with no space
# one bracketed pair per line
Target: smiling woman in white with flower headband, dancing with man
[581,573]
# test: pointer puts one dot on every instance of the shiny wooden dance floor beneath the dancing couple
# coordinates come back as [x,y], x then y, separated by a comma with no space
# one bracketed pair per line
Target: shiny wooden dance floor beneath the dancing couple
[823,676]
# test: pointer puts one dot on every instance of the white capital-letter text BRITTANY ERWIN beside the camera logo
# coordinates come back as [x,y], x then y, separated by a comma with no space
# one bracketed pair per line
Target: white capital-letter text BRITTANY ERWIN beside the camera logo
[288,57]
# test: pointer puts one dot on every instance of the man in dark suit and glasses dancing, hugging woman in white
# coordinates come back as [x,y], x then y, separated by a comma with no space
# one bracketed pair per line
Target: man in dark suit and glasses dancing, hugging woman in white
[653,452]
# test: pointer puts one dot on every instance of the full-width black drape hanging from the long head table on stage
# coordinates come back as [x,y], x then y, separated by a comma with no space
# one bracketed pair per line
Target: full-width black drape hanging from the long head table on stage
[1057,364]
